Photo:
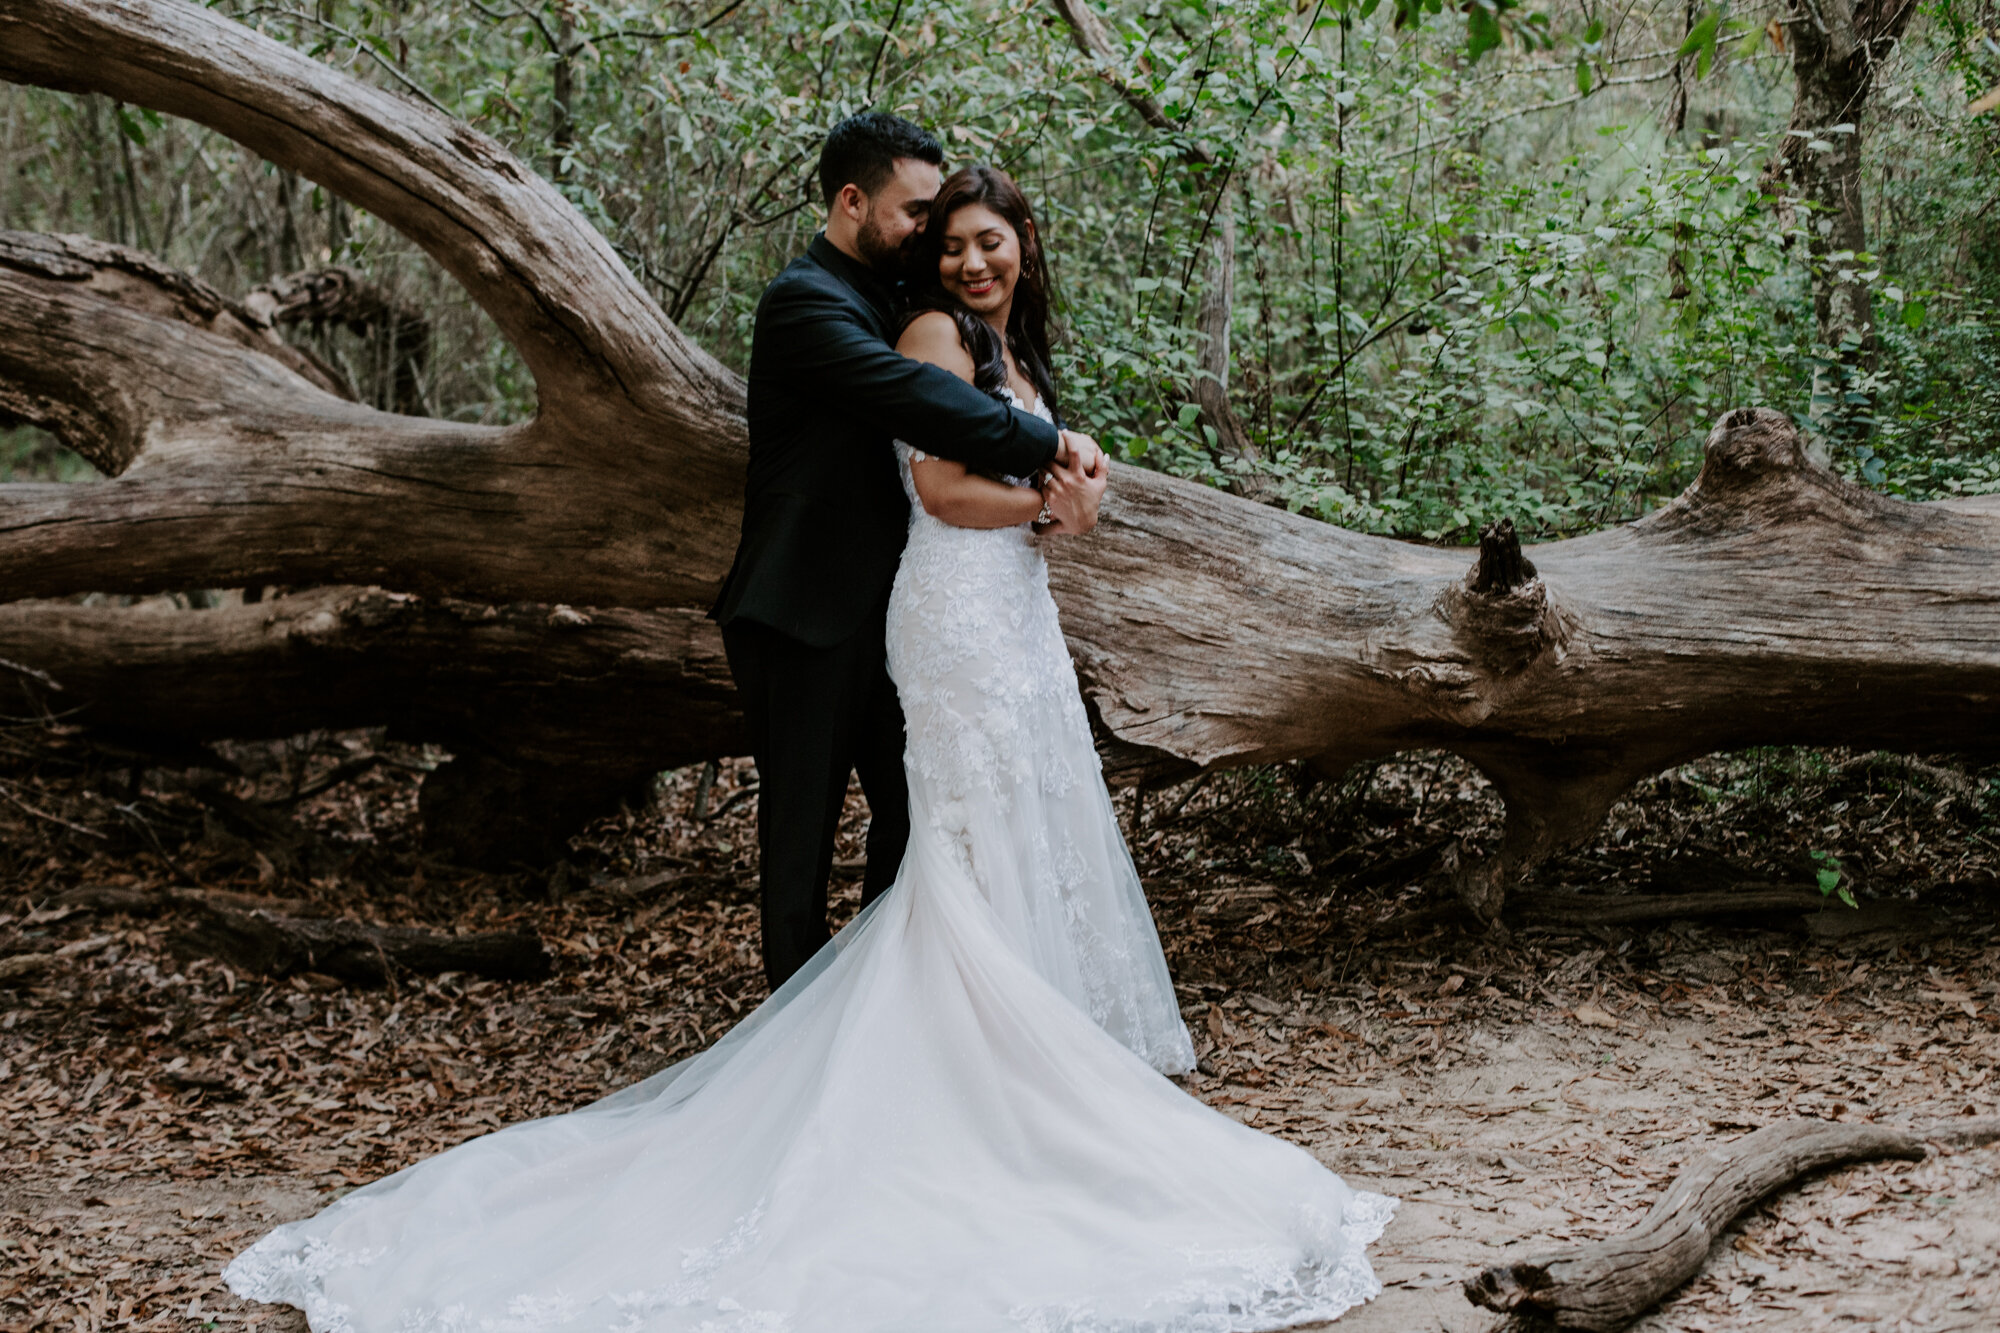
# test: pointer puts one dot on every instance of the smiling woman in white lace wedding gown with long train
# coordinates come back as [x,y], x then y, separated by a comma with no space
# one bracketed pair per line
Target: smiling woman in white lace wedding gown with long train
[955,1118]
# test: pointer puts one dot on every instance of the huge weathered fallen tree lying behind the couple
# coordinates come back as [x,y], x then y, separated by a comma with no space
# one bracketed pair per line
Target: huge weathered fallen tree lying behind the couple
[1771,603]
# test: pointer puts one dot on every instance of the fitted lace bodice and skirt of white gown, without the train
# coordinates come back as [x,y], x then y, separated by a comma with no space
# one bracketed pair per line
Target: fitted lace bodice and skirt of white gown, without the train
[1001,756]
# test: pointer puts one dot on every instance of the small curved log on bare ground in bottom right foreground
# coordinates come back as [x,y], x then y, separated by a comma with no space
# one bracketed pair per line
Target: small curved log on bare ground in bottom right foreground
[1615,1282]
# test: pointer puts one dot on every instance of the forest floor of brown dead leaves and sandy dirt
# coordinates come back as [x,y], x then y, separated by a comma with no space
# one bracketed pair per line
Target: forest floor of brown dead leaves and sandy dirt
[161,1110]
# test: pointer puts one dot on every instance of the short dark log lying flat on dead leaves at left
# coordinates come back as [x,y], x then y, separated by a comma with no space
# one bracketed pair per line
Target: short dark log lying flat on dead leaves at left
[277,946]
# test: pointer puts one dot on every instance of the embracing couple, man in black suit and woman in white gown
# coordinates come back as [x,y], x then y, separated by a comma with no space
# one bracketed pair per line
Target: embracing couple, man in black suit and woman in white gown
[953,1116]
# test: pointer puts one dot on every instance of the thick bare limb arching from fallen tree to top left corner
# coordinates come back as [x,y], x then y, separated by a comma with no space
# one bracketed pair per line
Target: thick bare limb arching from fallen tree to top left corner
[553,283]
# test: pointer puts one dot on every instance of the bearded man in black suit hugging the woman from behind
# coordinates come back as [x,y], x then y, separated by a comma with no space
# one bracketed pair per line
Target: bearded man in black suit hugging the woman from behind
[825,521]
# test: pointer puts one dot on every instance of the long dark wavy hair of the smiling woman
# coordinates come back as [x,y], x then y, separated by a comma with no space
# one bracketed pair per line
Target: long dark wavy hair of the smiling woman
[1029,325]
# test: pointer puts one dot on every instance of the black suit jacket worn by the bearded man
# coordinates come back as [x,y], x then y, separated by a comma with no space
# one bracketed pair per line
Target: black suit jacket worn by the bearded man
[825,513]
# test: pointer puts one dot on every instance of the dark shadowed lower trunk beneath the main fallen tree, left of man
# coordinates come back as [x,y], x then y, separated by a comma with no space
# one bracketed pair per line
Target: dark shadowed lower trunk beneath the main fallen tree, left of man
[551,714]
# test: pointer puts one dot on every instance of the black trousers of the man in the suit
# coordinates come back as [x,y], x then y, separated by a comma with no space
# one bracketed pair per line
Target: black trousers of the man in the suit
[817,716]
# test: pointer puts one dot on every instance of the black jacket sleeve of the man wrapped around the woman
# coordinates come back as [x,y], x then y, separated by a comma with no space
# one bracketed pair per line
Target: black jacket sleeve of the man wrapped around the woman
[827,347]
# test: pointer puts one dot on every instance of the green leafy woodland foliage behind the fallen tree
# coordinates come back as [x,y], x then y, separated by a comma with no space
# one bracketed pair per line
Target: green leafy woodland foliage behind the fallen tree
[1477,273]
